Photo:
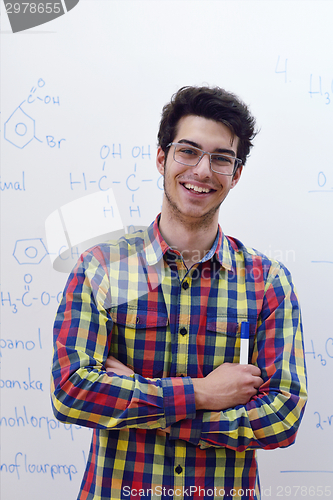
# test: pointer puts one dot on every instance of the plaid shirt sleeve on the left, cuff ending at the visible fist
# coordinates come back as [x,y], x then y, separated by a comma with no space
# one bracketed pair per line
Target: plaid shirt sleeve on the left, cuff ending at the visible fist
[82,392]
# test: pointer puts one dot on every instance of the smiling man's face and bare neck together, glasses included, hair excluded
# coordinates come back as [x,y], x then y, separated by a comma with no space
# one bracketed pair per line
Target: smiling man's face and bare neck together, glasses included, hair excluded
[196,182]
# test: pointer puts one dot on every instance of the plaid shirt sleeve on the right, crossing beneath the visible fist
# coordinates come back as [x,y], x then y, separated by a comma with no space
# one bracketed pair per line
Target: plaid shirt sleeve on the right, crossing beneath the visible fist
[270,419]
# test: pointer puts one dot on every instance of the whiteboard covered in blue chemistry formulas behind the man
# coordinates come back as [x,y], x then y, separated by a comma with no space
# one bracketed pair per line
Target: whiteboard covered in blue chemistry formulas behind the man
[82,97]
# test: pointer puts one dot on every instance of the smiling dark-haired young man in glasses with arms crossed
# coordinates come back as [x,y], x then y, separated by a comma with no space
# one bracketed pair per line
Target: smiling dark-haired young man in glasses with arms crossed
[148,335]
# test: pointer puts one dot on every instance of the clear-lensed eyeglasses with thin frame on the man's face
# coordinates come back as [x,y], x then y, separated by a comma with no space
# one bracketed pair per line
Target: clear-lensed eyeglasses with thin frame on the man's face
[220,163]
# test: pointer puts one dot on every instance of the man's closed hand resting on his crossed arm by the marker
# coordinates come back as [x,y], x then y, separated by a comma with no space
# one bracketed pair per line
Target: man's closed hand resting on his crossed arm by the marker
[227,386]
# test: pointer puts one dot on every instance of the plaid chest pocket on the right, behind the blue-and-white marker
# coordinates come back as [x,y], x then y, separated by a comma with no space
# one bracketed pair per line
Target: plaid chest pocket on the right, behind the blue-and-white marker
[223,340]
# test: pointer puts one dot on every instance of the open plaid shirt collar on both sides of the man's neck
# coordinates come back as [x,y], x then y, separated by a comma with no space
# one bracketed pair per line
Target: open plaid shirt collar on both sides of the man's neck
[155,247]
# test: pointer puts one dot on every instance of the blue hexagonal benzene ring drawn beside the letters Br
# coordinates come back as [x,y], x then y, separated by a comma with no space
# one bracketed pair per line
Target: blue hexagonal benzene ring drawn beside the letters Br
[19,129]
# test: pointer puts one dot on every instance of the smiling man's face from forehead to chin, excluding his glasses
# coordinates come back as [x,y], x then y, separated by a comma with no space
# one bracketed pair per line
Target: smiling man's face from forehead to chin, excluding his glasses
[194,194]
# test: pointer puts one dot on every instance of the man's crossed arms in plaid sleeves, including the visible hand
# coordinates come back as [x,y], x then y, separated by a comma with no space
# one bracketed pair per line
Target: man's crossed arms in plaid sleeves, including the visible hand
[223,409]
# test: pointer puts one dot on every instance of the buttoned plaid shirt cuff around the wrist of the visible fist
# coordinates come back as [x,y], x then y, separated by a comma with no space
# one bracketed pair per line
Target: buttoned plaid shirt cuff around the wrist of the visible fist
[178,399]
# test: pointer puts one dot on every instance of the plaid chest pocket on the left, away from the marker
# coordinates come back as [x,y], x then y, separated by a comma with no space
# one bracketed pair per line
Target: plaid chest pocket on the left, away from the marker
[142,341]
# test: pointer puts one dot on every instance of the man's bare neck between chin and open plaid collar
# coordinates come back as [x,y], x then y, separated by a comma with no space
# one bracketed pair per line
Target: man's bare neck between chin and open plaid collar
[192,239]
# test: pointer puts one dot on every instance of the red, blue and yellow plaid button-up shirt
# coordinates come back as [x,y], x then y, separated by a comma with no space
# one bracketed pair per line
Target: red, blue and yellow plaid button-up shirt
[136,300]
